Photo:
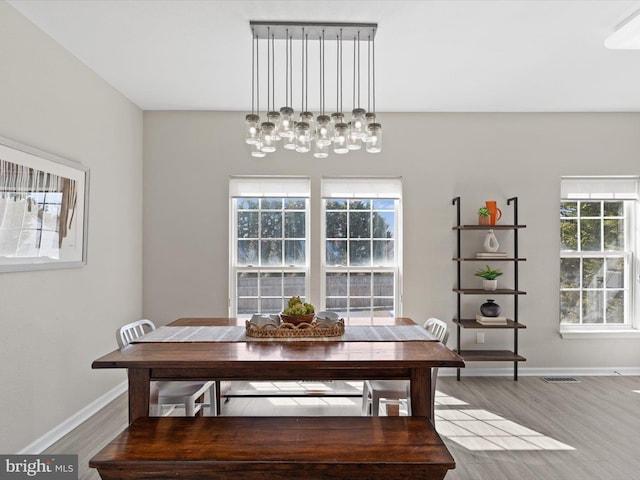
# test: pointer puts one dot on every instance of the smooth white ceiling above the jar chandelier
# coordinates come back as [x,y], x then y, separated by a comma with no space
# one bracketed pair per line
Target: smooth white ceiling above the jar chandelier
[431,56]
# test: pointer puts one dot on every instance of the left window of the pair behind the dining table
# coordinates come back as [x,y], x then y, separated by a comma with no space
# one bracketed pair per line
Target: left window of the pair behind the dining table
[269,243]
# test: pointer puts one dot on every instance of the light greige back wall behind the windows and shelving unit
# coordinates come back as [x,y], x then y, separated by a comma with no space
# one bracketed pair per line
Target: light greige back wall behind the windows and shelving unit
[188,157]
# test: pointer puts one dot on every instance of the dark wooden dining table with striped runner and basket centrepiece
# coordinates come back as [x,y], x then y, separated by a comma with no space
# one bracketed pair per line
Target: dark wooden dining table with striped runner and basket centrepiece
[284,359]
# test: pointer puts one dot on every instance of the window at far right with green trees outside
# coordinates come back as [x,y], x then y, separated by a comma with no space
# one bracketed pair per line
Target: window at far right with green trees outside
[597,251]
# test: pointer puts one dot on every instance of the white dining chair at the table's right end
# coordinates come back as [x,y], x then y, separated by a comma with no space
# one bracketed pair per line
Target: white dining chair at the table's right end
[375,390]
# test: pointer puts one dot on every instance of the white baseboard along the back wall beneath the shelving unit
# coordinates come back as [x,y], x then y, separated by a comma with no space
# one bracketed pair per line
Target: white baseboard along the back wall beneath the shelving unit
[541,372]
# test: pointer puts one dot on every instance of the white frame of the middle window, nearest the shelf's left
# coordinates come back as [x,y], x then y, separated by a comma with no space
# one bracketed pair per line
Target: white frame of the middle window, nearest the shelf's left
[361,188]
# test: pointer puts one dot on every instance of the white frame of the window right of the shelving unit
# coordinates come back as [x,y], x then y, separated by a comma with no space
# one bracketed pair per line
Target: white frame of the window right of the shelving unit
[609,188]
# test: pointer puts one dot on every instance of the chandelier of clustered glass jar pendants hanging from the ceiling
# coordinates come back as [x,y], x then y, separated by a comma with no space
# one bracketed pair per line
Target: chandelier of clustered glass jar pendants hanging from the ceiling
[279,48]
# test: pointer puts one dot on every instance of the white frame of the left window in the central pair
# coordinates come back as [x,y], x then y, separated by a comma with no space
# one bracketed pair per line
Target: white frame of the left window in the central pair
[264,187]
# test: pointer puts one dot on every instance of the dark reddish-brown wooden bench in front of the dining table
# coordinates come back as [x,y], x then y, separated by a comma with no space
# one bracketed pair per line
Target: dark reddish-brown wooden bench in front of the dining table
[263,448]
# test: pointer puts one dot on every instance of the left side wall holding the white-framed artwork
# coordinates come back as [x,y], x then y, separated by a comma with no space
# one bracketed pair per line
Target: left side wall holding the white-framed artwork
[55,323]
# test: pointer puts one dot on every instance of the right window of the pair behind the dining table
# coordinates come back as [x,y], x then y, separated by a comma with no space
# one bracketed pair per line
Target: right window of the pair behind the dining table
[361,240]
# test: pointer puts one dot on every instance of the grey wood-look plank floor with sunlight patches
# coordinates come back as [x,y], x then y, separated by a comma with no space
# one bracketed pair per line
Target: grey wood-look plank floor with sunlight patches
[490,435]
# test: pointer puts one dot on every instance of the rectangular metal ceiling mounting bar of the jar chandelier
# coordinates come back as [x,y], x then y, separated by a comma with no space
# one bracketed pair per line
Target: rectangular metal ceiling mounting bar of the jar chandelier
[284,30]
